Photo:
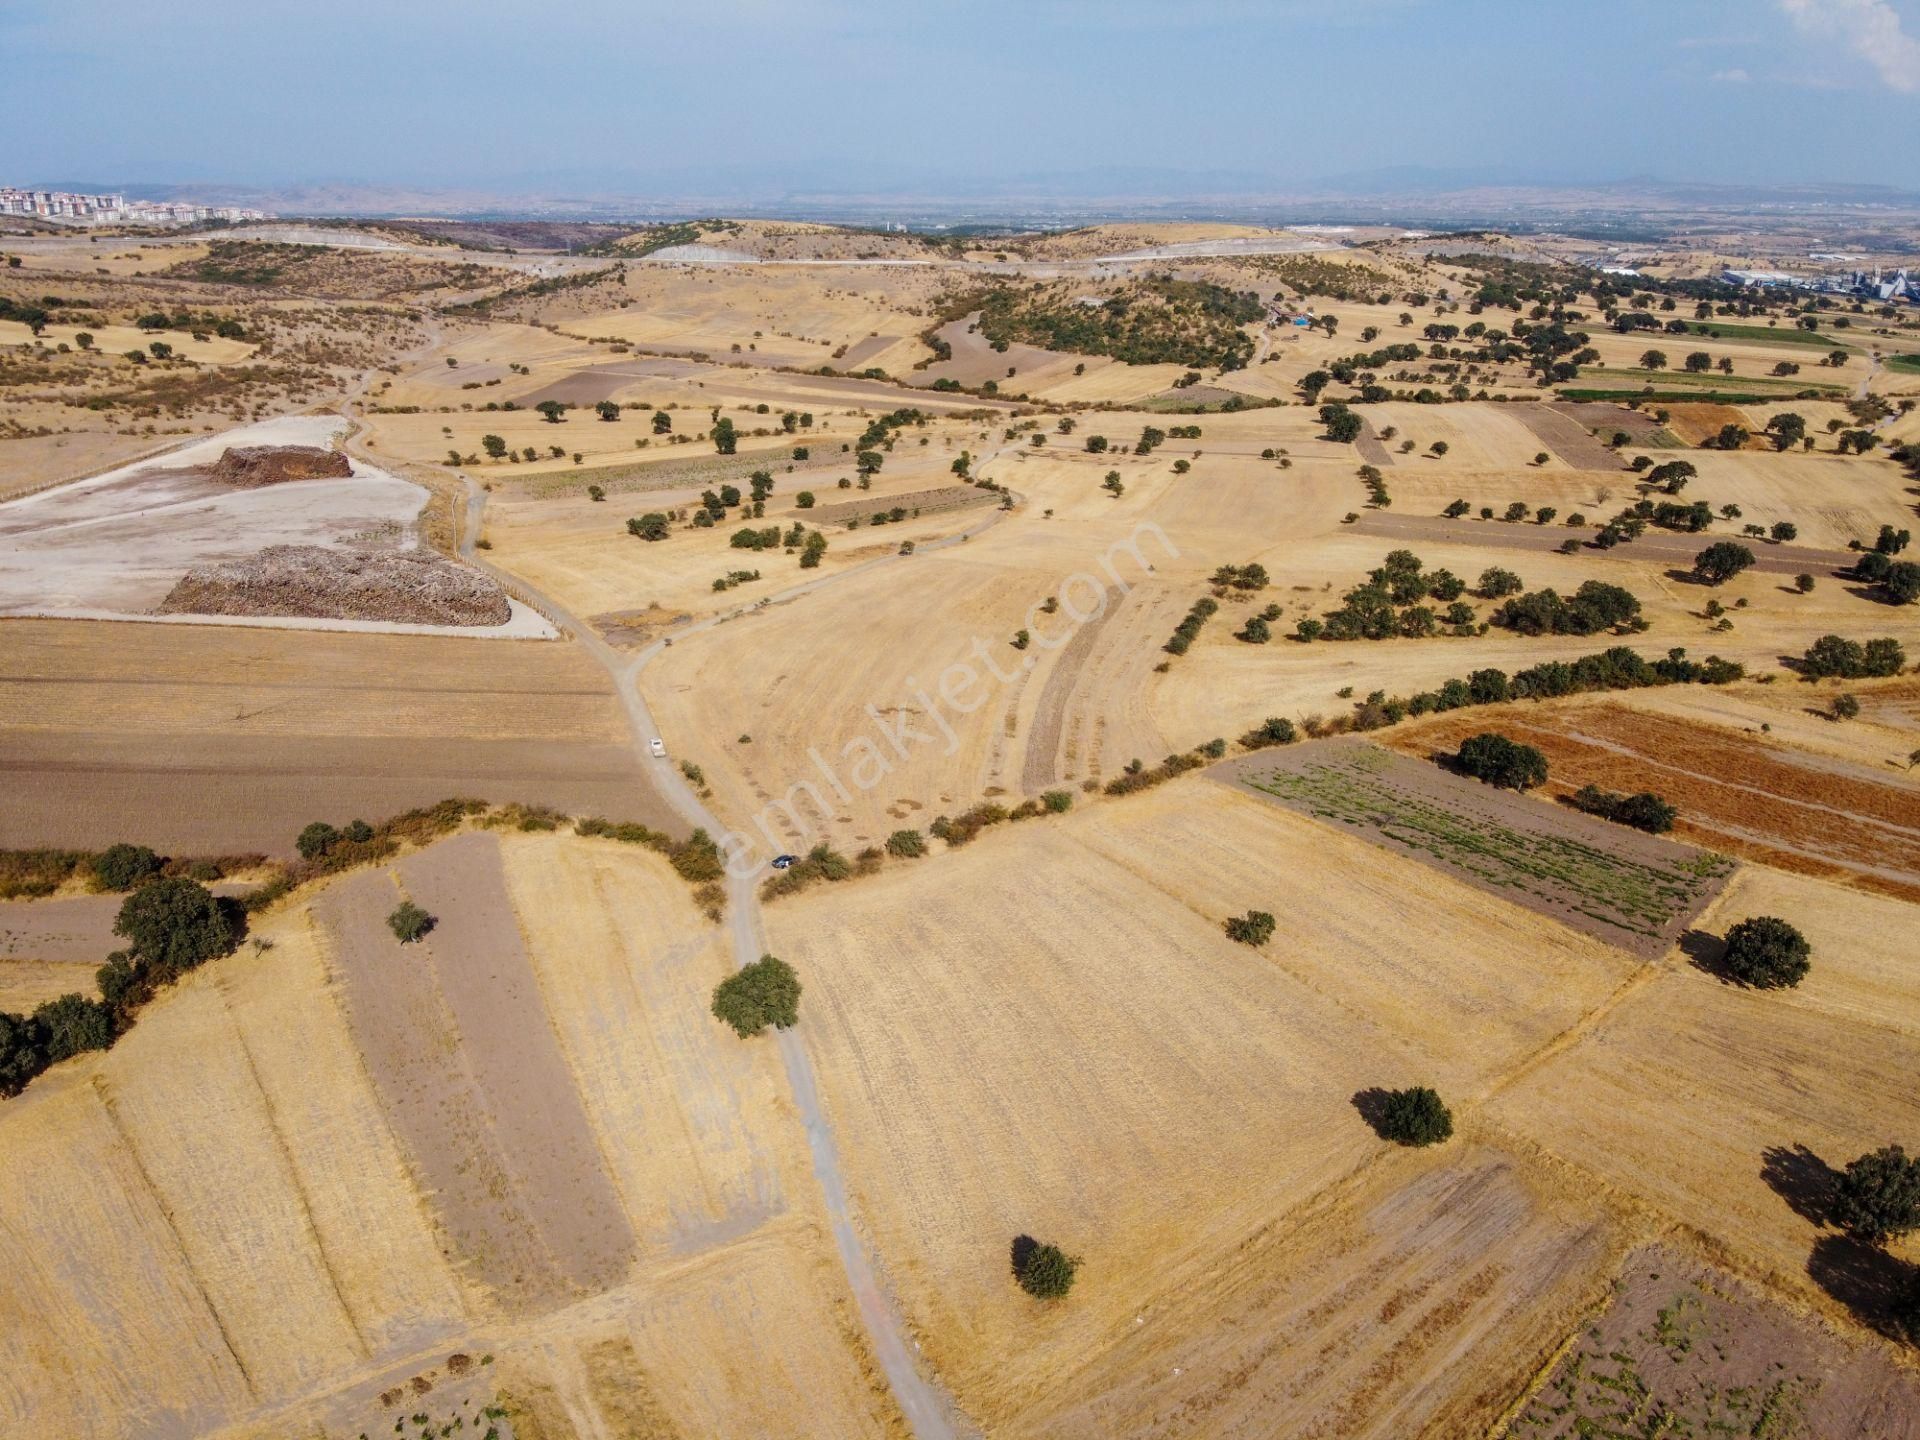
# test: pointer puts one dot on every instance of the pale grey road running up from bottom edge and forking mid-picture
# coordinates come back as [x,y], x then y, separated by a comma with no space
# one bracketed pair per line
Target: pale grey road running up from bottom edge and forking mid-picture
[926,1408]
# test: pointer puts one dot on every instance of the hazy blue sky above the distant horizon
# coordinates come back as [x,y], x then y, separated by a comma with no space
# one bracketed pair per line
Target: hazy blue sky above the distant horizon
[846,97]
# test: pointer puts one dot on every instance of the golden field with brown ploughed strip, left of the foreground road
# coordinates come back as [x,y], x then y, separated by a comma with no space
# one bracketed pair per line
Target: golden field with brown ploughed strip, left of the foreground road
[322,1168]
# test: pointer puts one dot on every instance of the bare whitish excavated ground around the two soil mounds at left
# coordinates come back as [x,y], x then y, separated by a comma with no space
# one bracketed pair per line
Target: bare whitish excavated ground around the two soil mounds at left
[112,548]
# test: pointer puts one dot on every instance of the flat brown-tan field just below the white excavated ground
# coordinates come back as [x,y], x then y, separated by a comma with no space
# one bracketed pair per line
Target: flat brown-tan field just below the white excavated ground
[212,740]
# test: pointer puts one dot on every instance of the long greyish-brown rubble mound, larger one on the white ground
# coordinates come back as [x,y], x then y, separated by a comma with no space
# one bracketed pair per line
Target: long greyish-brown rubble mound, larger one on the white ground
[343,585]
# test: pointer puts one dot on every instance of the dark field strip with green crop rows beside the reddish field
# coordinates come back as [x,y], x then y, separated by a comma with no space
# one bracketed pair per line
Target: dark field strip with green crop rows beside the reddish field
[1620,886]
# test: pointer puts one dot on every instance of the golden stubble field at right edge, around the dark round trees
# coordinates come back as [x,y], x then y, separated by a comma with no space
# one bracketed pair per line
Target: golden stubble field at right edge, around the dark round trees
[1748,1082]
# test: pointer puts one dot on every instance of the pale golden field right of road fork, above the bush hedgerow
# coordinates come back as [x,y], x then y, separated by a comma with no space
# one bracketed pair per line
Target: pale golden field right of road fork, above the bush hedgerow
[842,671]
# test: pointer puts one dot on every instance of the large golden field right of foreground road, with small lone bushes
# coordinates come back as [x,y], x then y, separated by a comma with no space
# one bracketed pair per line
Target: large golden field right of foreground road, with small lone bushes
[1132,1042]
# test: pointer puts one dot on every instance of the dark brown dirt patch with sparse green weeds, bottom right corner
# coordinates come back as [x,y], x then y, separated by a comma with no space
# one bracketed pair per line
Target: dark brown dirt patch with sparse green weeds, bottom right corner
[1689,1351]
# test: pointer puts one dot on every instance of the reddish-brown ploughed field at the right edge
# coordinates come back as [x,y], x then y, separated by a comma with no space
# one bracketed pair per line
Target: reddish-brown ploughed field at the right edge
[1737,794]
